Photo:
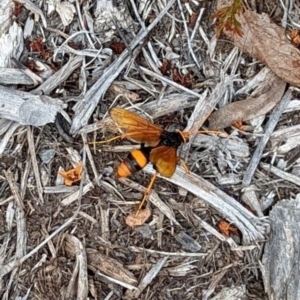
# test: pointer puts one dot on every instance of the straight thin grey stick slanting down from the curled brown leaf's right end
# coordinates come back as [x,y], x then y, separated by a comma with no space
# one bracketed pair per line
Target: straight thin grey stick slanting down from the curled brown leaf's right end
[274,117]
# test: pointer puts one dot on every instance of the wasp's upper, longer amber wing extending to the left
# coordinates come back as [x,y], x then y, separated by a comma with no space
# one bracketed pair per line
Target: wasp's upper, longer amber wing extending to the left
[135,127]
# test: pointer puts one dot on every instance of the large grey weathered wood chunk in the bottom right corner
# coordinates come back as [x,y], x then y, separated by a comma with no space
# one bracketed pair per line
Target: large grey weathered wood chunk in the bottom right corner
[280,263]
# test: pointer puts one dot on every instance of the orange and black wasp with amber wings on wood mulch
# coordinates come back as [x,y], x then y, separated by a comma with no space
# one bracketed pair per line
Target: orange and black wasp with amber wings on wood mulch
[158,146]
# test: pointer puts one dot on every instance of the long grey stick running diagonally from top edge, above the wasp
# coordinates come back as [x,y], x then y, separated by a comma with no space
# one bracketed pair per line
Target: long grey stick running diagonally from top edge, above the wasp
[85,107]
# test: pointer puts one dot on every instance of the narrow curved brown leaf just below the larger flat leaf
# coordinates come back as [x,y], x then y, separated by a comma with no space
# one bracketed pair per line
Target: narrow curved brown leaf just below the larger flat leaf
[271,91]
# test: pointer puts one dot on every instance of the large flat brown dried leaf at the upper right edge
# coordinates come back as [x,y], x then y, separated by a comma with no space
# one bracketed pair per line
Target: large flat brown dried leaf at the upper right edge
[267,42]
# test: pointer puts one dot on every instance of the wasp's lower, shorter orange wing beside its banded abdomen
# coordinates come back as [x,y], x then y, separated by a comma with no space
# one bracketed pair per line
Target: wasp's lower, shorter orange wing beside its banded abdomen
[164,159]
